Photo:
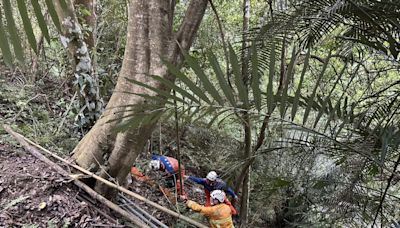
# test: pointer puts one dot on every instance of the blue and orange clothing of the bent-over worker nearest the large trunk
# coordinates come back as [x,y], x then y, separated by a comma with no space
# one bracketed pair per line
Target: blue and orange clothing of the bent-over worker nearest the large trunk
[171,166]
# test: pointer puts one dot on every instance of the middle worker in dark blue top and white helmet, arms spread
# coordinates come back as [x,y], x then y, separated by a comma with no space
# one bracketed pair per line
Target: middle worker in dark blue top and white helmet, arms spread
[211,183]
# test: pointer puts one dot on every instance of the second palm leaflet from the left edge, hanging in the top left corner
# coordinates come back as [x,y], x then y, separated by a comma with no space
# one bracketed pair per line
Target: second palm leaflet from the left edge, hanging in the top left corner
[12,30]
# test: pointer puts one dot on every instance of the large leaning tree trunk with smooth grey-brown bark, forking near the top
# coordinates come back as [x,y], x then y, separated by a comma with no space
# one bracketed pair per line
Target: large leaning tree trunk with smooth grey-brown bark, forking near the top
[150,38]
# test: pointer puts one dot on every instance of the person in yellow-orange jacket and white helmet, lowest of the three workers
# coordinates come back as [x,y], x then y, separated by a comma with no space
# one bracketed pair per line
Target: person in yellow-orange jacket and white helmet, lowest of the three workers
[219,214]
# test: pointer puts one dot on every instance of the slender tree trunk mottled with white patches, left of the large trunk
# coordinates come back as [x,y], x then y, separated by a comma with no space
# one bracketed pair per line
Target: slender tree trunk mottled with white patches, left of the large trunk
[90,103]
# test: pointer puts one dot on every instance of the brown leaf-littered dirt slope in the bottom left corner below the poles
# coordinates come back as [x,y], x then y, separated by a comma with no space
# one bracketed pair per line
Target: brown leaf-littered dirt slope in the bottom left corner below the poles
[33,195]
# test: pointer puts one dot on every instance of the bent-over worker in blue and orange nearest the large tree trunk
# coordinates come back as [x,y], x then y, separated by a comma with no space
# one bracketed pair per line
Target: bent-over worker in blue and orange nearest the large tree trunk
[170,166]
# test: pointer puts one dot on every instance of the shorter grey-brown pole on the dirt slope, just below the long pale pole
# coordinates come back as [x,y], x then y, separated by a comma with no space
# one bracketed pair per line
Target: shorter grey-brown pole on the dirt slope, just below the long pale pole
[80,184]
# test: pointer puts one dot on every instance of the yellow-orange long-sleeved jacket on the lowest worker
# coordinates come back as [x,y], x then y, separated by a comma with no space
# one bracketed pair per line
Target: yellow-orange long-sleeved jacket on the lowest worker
[219,215]
